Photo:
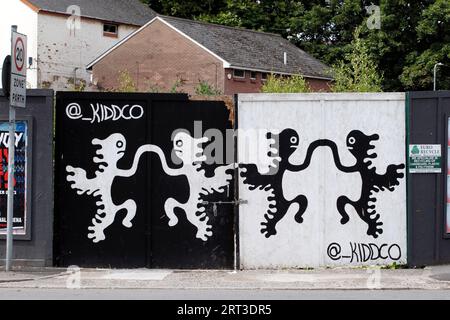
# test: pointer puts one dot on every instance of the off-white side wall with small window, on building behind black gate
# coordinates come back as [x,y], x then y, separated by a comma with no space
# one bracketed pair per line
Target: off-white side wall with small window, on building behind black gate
[61,50]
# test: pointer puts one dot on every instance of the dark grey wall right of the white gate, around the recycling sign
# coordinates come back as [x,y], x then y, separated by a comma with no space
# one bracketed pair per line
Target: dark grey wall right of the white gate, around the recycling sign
[429,193]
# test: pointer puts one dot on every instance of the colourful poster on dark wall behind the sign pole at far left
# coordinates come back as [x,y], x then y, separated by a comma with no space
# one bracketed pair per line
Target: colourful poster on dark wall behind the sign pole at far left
[20,208]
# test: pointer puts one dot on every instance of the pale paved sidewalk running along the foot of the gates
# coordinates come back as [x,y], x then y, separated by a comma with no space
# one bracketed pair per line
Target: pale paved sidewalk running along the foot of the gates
[432,278]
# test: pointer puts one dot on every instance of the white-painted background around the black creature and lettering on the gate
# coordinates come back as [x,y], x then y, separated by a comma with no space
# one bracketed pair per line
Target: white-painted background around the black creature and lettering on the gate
[324,116]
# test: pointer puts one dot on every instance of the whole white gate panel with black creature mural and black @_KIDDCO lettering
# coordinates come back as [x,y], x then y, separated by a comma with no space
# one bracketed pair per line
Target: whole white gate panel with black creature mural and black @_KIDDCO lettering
[320,239]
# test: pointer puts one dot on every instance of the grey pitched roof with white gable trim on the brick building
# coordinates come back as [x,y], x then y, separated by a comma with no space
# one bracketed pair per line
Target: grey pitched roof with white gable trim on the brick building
[243,49]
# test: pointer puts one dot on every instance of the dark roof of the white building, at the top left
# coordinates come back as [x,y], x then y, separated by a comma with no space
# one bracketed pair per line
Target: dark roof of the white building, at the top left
[132,12]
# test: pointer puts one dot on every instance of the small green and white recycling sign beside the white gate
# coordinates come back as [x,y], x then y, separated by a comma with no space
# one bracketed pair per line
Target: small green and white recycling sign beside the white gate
[425,158]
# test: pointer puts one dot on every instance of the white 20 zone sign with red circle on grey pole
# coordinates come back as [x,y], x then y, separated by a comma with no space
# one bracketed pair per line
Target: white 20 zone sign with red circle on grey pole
[19,70]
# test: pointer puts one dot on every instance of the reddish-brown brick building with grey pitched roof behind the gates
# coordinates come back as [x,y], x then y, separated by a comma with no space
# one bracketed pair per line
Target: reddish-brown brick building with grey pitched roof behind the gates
[168,51]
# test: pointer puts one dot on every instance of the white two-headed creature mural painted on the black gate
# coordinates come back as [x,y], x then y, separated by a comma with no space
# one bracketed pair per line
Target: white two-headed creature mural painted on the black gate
[112,149]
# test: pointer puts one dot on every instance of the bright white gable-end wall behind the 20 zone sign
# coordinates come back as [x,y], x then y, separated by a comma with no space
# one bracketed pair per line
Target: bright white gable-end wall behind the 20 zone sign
[14,12]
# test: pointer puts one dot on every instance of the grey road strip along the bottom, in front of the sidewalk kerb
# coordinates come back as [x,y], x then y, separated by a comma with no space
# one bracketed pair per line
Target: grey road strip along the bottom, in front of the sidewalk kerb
[180,294]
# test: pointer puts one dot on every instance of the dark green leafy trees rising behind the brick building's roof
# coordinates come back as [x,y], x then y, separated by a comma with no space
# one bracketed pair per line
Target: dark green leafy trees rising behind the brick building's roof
[414,35]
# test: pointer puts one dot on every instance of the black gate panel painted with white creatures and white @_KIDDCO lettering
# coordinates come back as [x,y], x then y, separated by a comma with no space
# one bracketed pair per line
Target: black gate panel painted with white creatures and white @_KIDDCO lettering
[131,190]
